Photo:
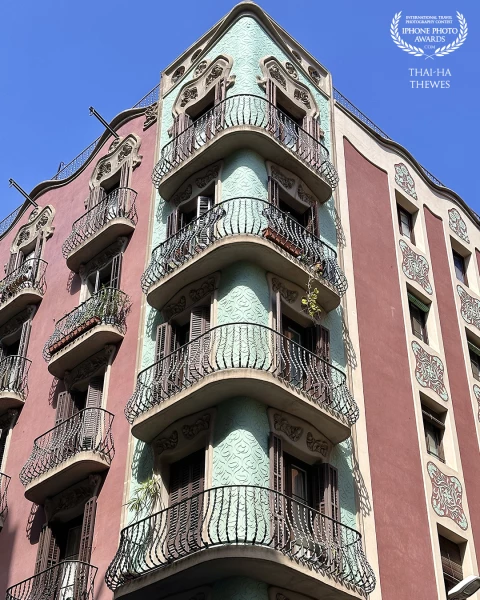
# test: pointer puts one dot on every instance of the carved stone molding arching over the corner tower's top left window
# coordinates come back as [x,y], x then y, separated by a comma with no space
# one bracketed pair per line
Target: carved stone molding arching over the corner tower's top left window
[196,90]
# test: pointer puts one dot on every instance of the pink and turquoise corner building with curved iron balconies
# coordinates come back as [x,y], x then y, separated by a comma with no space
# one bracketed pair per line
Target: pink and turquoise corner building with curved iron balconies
[300,373]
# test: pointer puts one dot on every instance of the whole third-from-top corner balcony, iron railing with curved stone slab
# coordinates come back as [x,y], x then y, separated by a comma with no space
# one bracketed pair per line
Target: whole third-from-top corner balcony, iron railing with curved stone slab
[245,359]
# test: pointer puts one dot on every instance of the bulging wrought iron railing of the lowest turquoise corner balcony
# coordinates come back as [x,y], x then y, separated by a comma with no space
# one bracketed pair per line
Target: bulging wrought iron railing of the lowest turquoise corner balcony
[241,515]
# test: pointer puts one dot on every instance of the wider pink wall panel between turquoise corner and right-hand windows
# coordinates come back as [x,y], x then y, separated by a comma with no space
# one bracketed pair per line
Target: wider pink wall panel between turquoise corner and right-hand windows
[403,538]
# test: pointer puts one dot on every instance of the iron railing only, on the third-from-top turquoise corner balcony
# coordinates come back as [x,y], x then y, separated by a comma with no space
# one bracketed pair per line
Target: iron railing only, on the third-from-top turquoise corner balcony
[244,346]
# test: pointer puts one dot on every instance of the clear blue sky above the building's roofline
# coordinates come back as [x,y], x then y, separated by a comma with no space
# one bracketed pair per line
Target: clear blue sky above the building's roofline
[58,57]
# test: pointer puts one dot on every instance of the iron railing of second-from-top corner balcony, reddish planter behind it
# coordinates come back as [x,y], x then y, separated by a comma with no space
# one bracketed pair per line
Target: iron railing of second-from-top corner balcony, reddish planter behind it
[240,216]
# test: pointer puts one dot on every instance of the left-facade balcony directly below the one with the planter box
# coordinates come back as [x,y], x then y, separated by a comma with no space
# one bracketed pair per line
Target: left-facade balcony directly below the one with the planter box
[72,450]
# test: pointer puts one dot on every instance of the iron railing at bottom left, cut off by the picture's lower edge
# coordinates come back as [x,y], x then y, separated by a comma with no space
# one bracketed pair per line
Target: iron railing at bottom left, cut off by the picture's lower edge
[67,580]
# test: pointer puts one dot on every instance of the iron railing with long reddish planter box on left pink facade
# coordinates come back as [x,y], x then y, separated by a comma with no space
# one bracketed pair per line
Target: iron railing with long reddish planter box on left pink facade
[108,306]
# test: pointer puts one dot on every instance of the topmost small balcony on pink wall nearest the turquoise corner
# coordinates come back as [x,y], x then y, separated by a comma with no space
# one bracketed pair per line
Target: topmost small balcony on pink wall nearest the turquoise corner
[100,226]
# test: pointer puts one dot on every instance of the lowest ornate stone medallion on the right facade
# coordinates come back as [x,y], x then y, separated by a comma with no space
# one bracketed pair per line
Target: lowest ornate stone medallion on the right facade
[447,496]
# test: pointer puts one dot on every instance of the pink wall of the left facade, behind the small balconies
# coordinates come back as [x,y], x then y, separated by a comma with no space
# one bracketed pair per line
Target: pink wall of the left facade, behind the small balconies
[18,539]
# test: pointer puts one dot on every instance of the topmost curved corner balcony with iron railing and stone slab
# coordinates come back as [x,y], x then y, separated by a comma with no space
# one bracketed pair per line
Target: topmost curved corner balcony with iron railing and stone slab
[245,121]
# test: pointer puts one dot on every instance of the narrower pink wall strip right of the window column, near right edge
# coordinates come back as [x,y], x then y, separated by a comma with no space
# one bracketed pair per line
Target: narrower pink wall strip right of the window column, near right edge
[456,368]
